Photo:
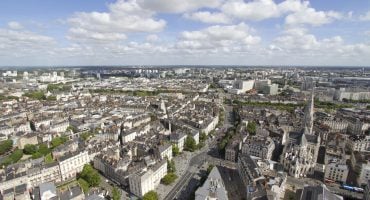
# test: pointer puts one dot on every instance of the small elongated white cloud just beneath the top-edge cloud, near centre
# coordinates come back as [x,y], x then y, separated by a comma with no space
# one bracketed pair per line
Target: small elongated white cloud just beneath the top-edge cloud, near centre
[208,17]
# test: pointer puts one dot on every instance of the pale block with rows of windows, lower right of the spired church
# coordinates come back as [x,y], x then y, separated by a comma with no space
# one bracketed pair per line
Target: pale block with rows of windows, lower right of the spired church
[336,171]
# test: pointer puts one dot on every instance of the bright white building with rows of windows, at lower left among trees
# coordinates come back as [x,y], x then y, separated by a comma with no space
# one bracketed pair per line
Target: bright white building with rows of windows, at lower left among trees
[72,163]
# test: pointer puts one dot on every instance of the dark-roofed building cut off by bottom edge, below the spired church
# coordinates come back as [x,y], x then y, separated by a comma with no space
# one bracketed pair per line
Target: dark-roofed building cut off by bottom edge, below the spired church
[318,193]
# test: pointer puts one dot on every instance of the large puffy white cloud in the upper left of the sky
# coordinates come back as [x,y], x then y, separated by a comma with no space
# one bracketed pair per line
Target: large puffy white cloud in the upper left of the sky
[124,16]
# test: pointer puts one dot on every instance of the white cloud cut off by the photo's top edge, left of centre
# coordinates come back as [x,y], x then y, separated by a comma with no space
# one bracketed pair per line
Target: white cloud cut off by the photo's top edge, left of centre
[178,6]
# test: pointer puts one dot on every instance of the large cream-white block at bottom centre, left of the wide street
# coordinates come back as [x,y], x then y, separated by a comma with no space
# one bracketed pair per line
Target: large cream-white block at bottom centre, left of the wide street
[147,179]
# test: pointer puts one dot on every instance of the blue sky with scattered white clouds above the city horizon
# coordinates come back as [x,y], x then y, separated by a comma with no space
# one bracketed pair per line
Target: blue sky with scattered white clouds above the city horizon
[185,32]
